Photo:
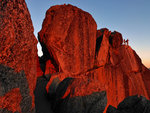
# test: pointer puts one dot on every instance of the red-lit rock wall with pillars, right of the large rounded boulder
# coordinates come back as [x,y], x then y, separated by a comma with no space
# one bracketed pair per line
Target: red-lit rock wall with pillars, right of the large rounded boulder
[121,70]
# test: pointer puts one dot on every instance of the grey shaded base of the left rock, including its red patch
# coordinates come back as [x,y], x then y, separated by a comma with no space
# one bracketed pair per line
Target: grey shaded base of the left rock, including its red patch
[14,92]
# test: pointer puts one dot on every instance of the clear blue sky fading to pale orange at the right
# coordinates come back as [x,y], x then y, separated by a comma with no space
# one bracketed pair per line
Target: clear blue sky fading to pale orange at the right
[129,17]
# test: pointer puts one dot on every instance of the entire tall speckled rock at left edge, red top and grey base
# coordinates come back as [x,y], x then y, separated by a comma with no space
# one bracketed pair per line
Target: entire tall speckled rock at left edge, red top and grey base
[17,50]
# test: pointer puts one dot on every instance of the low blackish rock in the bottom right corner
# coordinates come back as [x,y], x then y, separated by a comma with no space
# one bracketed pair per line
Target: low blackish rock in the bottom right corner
[133,104]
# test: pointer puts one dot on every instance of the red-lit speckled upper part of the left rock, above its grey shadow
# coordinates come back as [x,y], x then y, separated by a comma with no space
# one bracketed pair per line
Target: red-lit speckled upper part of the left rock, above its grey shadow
[17,42]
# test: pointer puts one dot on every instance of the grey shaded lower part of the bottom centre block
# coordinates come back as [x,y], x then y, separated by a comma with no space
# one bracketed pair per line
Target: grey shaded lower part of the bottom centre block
[94,103]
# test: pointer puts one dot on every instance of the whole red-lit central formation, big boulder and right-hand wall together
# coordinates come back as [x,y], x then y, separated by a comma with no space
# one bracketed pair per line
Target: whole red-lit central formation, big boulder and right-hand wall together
[96,60]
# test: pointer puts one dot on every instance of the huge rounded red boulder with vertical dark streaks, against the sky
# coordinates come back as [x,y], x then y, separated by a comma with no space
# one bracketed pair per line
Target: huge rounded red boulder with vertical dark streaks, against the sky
[69,34]
